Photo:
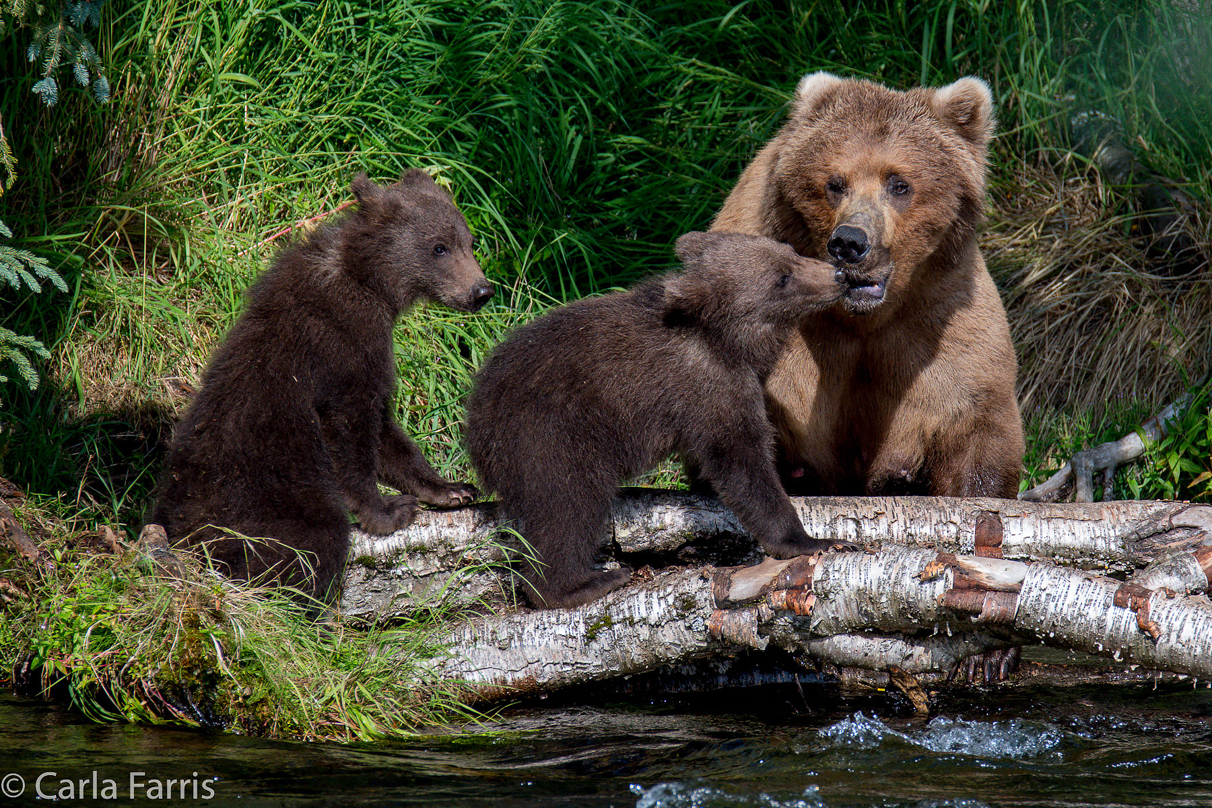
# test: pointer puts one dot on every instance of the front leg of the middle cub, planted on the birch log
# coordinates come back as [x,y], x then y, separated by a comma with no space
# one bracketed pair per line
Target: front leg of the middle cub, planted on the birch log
[745,477]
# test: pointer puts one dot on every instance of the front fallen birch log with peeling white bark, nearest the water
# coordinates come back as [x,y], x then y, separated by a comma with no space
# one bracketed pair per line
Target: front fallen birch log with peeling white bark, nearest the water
[933,609]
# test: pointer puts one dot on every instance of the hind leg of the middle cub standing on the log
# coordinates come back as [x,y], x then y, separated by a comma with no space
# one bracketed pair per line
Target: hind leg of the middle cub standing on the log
[565,530]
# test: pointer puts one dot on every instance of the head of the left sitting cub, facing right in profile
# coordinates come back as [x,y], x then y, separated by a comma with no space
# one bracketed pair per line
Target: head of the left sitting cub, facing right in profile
[408,240]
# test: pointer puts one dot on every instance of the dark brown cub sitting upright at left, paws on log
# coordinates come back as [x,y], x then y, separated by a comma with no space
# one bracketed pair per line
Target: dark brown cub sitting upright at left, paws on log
[293,427]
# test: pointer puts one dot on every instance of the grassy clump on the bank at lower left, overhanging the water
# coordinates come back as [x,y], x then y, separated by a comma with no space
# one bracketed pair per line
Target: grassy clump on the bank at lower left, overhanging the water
[119,641]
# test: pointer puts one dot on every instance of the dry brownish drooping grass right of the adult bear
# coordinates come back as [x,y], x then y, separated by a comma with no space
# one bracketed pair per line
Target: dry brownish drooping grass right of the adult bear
[1095,322]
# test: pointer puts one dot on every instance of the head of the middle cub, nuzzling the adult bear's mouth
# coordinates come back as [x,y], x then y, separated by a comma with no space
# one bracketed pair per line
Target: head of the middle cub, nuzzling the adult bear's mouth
[748,288]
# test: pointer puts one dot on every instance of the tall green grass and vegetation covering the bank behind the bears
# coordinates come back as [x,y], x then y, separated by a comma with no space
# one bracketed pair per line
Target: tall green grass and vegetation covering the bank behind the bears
[581,139]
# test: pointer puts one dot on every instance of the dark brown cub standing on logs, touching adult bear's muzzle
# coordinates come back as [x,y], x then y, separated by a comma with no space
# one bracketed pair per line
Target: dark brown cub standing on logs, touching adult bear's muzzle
[603,389]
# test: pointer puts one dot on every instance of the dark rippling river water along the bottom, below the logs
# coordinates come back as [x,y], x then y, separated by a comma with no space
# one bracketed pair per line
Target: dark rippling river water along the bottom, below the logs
[777,747]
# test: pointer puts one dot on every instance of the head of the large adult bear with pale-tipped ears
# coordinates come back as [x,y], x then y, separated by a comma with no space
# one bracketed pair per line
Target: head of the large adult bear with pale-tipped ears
[887,186]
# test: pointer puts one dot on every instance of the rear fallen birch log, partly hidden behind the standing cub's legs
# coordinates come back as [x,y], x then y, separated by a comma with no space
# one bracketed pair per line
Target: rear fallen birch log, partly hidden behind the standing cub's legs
[464,552]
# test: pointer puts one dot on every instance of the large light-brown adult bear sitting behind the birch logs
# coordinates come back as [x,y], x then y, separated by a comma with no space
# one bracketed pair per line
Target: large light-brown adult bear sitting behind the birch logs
[910,386]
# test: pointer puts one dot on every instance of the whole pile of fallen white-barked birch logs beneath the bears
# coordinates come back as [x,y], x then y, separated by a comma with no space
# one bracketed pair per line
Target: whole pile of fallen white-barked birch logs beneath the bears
[942,580]
